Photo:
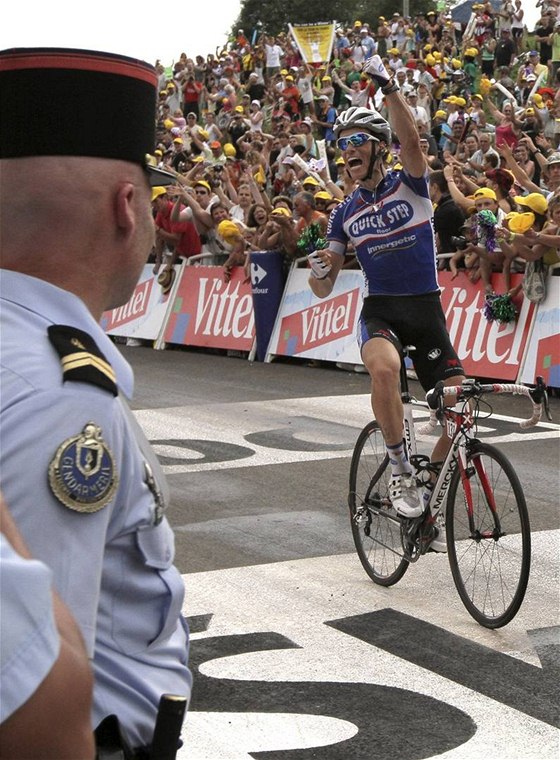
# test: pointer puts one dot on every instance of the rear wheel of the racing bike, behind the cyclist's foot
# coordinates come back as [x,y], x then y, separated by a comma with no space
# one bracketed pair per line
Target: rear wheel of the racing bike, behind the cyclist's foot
[375,527]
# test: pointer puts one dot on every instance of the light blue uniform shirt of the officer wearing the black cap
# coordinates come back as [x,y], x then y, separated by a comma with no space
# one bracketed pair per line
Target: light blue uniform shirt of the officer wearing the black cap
[113,567]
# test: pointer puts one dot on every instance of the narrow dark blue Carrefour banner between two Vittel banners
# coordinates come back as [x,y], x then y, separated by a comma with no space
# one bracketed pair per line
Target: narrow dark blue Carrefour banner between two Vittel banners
[267,285]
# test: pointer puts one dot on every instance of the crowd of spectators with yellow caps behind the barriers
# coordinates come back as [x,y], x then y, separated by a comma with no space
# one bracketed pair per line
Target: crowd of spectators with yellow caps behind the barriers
[248,131]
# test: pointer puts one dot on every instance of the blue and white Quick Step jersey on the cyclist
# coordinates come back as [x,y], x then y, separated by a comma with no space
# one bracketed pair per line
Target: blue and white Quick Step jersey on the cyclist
[391,229]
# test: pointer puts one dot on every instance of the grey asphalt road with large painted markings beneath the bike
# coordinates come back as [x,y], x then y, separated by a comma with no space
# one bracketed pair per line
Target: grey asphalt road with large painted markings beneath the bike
[295,653]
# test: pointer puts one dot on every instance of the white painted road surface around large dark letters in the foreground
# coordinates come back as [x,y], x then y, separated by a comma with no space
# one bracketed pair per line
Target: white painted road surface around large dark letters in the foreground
[316,590]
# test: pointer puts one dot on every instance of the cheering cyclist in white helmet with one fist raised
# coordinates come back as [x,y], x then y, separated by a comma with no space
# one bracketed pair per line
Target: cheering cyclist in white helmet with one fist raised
[388,220]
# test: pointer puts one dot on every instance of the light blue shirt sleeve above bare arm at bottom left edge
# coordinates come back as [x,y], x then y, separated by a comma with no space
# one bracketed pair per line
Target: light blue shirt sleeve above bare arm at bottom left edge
[29,640]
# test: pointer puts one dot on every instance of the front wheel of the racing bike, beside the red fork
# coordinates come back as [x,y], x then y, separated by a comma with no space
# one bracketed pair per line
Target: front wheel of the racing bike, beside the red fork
[488,536]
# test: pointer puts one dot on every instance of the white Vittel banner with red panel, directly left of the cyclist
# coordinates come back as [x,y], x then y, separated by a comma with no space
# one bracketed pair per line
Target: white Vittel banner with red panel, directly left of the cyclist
[313,328]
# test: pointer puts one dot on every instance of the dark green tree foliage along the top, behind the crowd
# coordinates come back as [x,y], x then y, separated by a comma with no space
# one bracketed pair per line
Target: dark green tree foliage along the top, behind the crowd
[274,17]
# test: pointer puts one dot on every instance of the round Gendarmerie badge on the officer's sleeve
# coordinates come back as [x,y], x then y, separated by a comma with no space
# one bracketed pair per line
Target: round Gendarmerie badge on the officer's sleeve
[82,473]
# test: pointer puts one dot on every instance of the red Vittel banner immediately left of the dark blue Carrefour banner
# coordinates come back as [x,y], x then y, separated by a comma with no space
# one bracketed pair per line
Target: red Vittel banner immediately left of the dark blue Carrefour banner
[207,311]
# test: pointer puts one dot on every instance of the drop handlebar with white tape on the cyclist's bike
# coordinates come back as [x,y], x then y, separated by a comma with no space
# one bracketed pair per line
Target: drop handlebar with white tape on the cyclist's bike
[473,389]
